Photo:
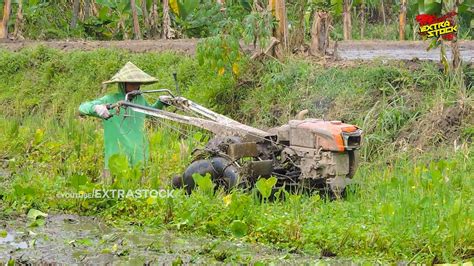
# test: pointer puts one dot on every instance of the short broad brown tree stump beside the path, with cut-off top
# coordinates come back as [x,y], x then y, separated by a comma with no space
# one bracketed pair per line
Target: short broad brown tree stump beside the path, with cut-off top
[320,33]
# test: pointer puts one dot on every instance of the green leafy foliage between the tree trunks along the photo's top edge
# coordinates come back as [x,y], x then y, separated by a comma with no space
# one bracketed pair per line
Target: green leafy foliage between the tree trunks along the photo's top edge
[46,20]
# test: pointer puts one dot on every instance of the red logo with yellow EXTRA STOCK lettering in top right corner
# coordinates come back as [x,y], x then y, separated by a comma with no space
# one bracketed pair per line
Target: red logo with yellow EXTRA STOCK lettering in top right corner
[435,27]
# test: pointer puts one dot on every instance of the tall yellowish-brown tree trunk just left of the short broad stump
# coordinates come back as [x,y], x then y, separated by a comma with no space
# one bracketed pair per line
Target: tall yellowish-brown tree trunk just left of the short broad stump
[278,9]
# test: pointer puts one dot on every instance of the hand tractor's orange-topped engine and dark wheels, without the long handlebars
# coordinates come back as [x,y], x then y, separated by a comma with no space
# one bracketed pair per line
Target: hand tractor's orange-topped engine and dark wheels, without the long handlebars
[303,154]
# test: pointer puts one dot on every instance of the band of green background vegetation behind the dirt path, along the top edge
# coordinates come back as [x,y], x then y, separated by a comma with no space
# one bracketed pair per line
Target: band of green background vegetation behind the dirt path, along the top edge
[113,19]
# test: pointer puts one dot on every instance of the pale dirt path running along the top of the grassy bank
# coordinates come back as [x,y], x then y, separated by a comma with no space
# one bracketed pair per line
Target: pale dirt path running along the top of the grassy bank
[347,50]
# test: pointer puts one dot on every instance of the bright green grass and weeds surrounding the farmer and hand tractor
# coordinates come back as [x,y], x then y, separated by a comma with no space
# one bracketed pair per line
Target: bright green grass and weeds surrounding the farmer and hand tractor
[413,201]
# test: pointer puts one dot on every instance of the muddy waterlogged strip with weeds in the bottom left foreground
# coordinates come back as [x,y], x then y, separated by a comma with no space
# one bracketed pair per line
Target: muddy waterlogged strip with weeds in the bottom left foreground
[70,239]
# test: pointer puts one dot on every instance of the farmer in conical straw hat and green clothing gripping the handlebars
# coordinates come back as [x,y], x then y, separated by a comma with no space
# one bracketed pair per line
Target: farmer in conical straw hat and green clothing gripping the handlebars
[124,133]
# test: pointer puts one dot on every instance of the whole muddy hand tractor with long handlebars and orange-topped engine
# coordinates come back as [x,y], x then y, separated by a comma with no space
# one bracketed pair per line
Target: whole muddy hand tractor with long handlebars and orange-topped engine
[305,154]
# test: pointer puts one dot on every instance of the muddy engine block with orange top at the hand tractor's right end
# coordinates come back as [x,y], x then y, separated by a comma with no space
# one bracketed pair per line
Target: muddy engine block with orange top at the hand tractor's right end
[323,151]
